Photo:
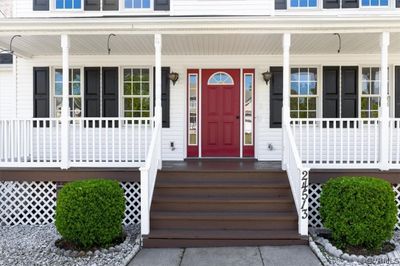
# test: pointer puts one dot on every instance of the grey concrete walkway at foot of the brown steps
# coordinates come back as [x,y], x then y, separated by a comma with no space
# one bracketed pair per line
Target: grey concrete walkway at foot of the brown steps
[230,256]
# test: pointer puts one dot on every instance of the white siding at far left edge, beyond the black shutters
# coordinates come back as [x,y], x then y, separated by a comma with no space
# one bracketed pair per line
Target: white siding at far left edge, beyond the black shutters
[7,94]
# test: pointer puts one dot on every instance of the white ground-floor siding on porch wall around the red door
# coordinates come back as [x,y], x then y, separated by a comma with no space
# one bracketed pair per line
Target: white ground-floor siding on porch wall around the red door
[177,131]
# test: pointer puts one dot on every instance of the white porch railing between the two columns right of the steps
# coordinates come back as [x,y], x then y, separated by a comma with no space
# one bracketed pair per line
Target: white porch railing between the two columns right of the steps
[338,143]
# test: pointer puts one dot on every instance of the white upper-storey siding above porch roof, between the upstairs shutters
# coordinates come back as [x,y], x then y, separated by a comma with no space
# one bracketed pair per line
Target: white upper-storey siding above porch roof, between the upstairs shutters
[221,7]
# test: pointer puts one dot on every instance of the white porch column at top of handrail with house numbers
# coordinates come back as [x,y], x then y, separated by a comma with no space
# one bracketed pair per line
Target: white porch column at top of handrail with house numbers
[286,91]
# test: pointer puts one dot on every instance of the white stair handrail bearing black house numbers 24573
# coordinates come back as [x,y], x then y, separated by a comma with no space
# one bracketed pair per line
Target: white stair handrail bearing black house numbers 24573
[298,178]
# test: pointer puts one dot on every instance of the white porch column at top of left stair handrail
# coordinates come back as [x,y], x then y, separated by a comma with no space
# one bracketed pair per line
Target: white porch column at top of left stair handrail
[158,107]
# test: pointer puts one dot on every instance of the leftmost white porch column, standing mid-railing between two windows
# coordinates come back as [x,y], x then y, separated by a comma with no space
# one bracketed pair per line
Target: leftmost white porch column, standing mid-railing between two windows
[65,44]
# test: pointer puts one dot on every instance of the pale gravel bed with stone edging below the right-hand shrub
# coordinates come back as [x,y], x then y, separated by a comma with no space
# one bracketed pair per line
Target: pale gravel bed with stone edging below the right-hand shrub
[330,255]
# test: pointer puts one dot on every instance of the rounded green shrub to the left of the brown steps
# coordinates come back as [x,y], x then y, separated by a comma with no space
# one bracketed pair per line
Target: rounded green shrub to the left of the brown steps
[89,213]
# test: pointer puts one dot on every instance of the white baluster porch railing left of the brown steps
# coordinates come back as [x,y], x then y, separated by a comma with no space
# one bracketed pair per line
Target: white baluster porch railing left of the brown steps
[92,142]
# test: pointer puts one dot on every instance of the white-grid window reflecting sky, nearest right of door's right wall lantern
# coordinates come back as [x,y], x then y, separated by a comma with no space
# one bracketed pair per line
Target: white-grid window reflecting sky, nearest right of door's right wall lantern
[303,92]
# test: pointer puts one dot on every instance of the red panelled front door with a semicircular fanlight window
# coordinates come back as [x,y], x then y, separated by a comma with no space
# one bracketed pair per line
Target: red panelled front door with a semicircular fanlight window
[220,113]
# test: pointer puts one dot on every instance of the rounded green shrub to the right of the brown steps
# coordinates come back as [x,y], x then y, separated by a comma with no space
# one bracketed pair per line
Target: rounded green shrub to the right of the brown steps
[360,211]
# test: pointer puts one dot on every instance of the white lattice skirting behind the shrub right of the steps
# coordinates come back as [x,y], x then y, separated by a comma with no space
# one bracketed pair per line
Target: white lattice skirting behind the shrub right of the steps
[314,219]
